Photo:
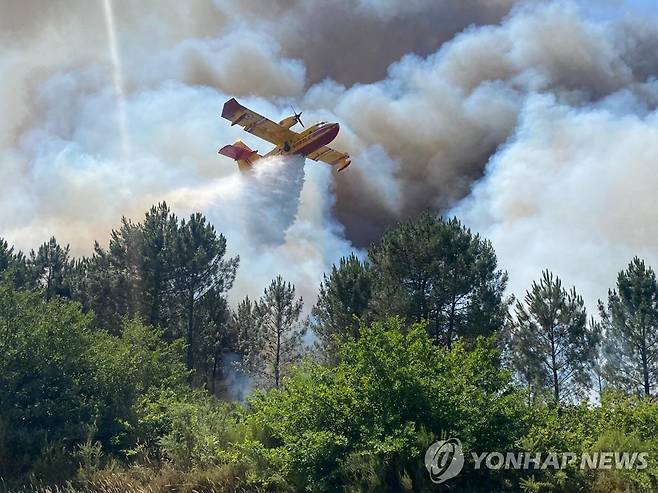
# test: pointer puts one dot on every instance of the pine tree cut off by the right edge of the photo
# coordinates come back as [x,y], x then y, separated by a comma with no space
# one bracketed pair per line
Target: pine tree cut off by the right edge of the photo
[631,329]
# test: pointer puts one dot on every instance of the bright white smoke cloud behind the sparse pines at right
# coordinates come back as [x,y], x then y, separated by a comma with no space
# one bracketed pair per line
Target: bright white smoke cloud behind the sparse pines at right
[574,192]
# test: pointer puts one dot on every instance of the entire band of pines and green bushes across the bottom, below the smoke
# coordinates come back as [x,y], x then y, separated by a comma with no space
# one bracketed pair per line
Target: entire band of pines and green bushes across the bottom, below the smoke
[112,365]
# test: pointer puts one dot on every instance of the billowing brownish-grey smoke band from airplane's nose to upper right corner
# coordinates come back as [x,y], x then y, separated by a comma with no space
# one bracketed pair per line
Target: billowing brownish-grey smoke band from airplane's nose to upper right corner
[440,118]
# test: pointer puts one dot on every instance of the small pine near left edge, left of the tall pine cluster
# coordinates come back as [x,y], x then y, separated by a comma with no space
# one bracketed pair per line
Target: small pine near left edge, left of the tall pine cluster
[50,269]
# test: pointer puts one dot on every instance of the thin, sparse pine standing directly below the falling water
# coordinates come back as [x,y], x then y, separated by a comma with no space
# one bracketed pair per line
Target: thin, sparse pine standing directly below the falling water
[277,343]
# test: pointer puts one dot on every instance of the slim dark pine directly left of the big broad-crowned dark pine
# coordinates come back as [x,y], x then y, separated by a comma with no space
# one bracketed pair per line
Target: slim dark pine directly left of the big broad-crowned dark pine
[343,301]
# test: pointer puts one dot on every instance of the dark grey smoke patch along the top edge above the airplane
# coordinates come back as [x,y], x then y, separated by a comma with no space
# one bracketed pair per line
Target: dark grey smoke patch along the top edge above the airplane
[354,41]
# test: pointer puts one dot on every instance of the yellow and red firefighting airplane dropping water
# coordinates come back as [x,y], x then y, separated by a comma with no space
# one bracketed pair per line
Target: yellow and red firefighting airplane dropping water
[311,143]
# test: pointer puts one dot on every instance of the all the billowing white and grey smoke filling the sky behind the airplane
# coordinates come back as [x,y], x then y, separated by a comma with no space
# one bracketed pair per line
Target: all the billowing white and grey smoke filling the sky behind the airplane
[534,121]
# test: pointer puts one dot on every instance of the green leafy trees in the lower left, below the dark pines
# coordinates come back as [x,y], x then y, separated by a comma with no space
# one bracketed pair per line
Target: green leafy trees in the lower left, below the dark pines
[58,378]
